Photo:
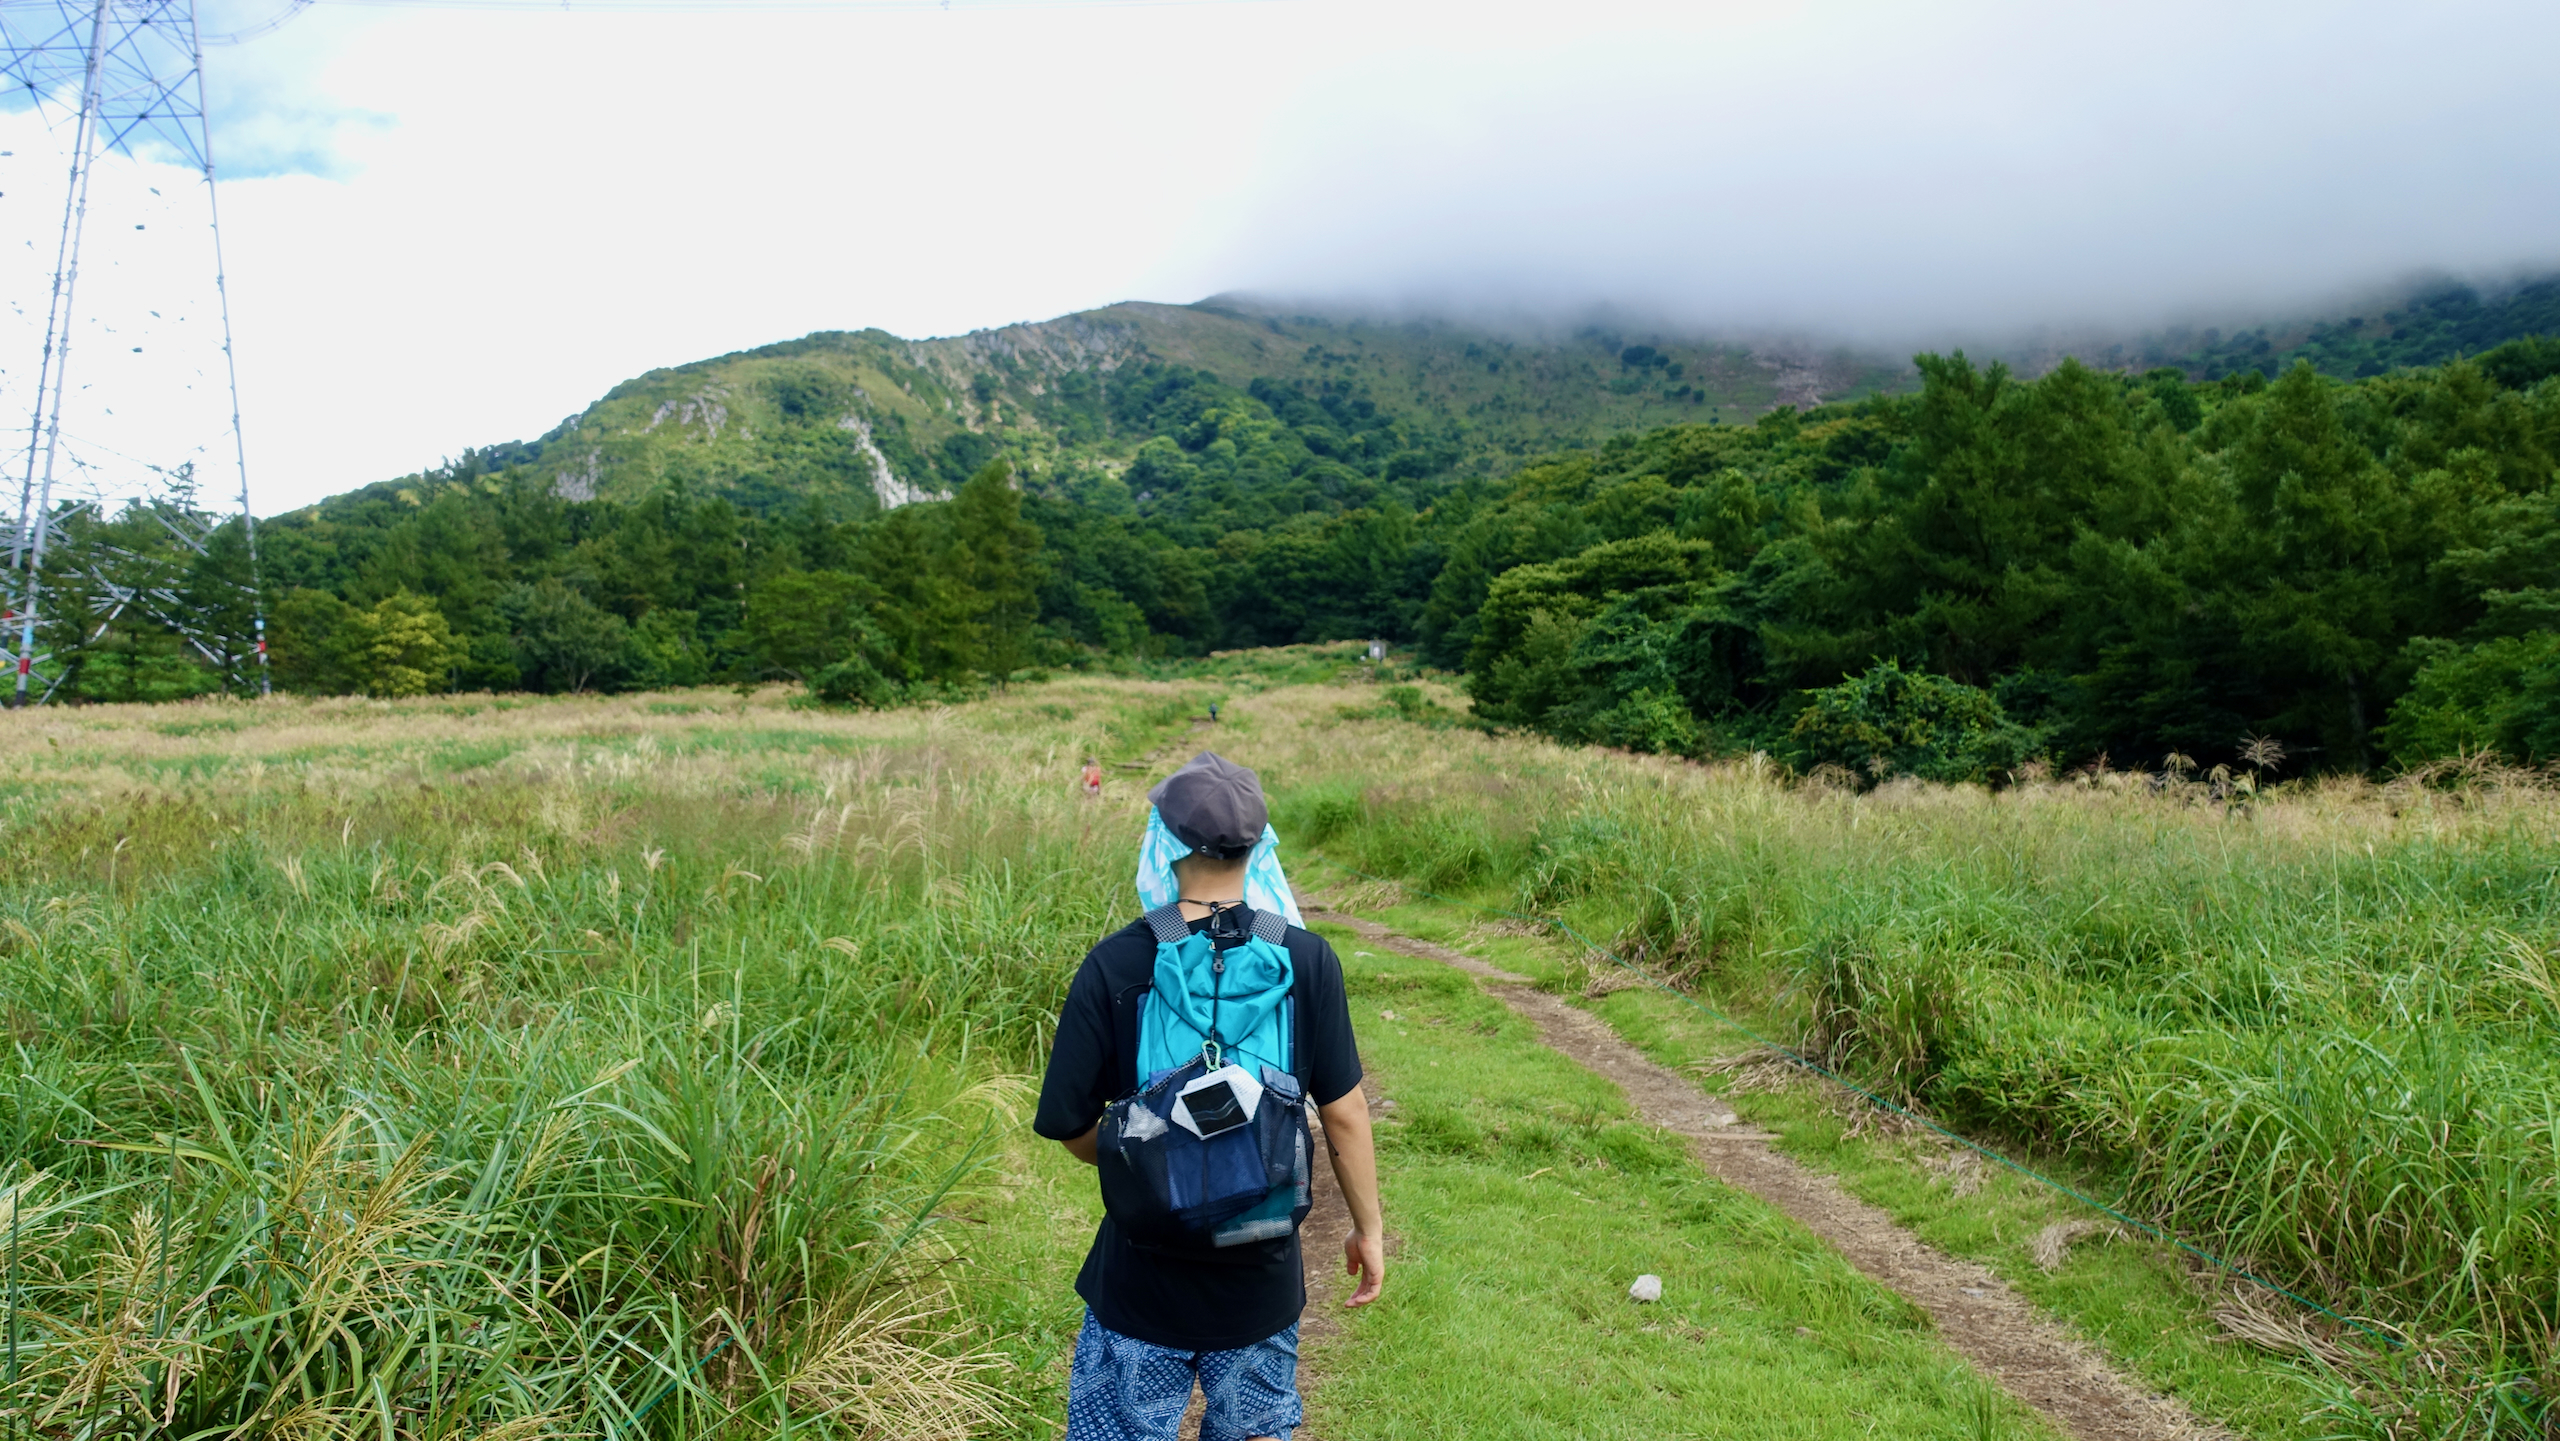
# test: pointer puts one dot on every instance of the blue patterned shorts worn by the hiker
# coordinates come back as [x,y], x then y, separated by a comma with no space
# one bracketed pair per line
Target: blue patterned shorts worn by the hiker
[1128,1391]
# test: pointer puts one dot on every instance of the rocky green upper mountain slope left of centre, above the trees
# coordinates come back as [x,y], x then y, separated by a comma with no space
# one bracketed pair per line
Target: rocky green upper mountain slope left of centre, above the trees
[831,413]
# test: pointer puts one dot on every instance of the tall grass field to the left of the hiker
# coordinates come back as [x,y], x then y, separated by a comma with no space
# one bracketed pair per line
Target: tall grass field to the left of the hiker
[367,1094]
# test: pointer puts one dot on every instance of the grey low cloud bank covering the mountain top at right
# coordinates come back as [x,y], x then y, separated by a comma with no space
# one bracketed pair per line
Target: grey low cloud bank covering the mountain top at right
[1919,175]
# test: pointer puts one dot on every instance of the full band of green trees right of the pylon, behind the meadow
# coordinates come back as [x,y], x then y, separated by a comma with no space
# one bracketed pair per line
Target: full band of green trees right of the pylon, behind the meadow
[1937,585]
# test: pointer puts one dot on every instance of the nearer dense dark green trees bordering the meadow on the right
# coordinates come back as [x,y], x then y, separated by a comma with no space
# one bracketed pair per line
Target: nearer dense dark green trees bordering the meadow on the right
[2129,564]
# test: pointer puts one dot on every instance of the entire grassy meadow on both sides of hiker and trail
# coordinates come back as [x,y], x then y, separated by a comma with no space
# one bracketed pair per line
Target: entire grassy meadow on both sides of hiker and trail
[659,1066]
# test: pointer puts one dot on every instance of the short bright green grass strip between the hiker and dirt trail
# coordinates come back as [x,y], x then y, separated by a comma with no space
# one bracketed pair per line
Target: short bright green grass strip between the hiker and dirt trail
[1527,1199]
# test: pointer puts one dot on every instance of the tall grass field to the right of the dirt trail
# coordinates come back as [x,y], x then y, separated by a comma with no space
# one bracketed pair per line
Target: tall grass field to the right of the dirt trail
[2316,1035]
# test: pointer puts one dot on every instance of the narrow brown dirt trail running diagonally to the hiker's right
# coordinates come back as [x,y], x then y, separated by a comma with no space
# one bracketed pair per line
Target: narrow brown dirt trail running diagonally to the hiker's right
[1975,1312]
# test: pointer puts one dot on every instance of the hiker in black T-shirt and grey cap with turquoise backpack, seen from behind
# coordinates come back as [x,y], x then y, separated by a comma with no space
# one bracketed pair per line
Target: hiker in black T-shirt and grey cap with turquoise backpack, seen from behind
[1187,1053]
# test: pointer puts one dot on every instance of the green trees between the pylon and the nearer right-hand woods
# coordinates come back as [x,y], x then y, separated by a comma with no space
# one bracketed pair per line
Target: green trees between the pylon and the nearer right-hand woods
[1228,526]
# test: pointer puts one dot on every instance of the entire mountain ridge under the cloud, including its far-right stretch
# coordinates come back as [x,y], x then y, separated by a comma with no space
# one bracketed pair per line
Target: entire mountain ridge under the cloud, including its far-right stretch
[861,421]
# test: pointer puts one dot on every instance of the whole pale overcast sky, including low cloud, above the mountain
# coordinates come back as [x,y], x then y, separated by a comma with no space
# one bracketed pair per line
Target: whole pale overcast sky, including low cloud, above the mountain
[452,227]
